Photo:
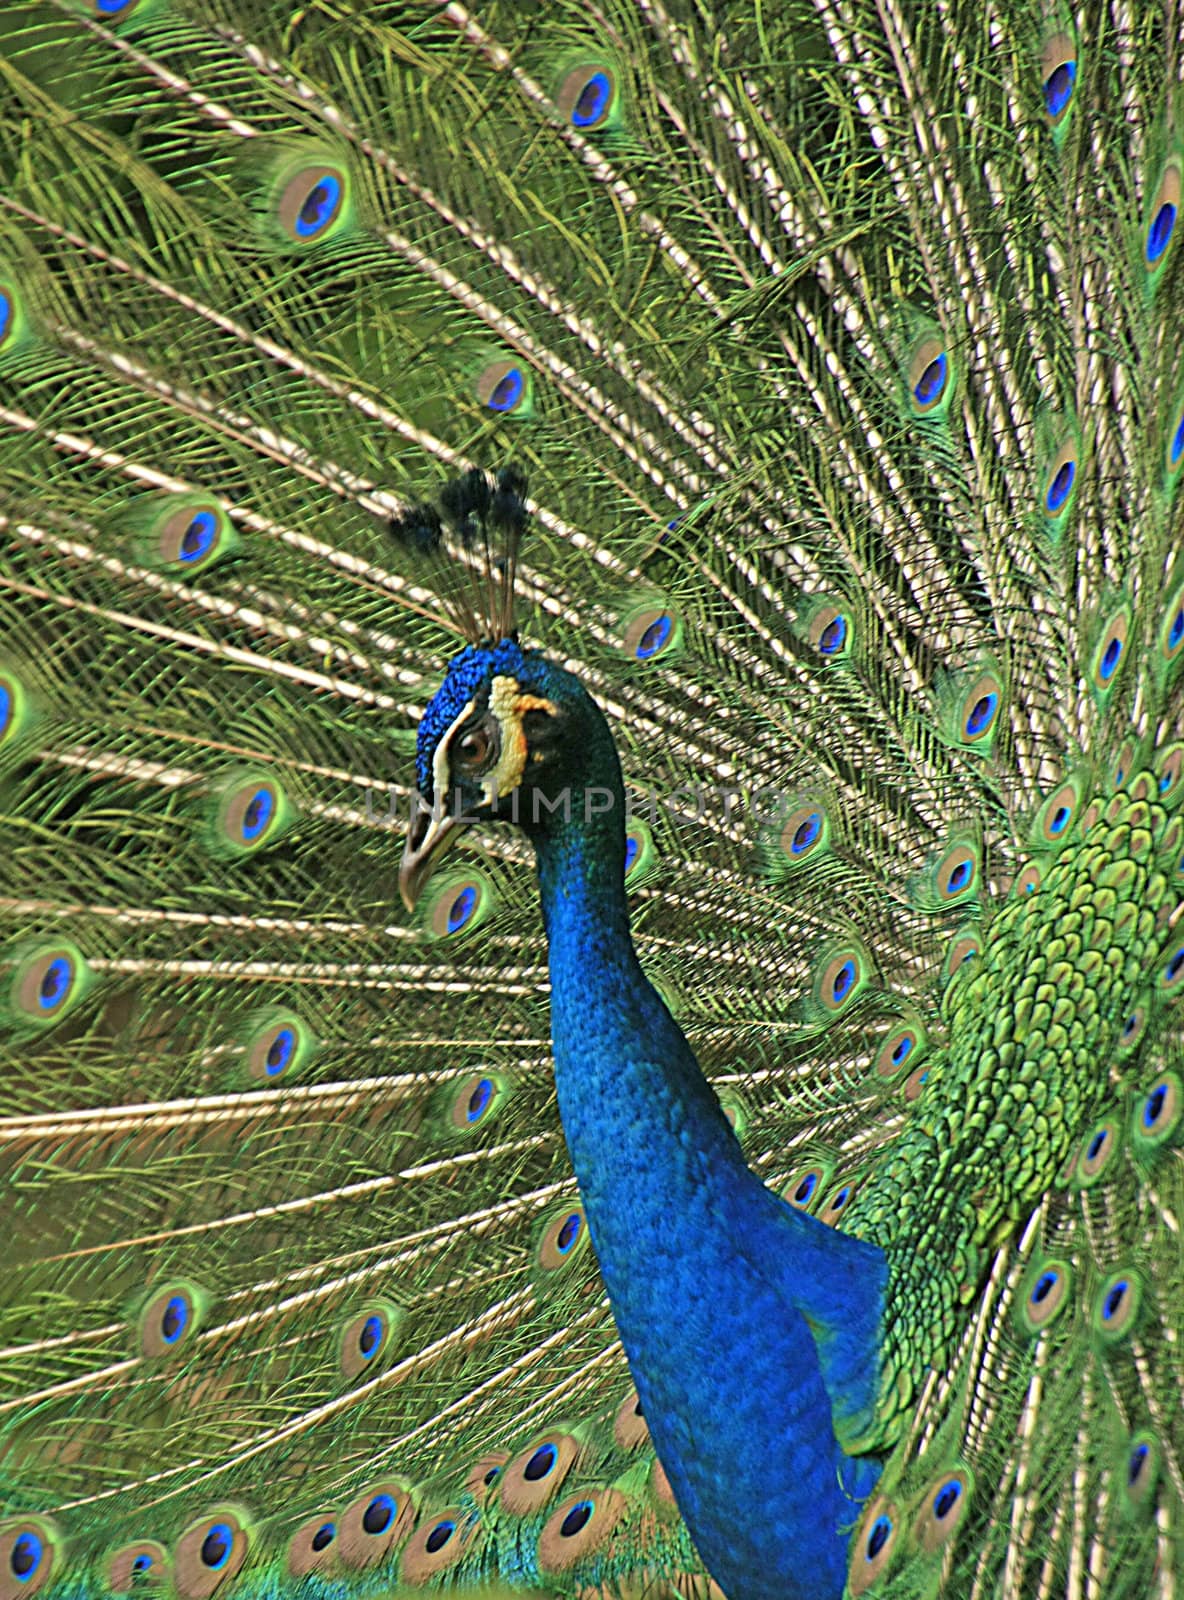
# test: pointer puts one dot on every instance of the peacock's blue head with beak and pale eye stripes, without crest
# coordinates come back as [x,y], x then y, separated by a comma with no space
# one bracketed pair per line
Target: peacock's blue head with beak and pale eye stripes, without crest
[508,737]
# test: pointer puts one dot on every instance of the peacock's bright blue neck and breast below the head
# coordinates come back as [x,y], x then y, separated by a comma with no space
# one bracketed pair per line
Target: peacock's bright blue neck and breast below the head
[751,1330]
